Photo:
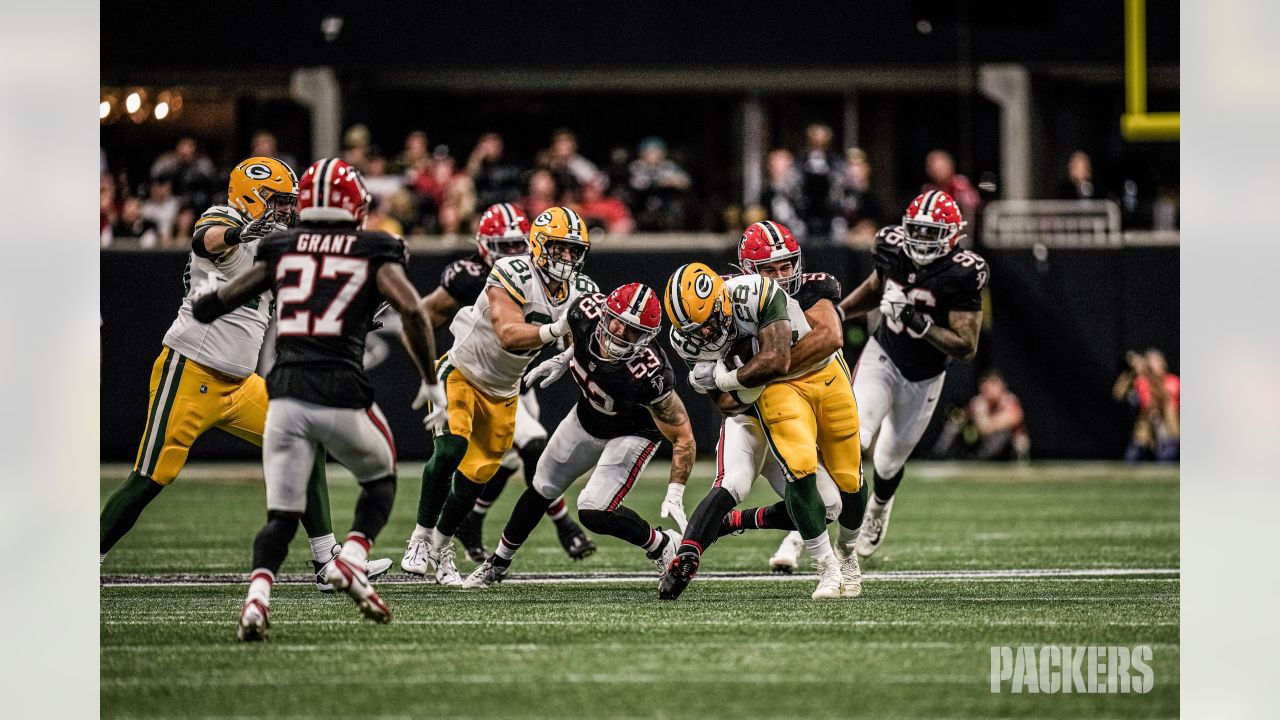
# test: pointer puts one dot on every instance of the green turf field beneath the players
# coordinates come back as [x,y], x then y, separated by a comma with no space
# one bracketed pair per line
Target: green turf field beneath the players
[916,645]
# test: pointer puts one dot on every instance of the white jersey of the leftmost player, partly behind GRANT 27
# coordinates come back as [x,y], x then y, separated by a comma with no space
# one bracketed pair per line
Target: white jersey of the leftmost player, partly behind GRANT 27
[231,344]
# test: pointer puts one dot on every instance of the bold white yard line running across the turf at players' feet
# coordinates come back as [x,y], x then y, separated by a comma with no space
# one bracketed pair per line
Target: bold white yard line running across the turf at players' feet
[630,577]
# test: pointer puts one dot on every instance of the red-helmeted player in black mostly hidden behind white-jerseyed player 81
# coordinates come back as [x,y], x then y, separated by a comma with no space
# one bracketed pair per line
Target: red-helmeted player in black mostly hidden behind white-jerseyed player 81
[504,233]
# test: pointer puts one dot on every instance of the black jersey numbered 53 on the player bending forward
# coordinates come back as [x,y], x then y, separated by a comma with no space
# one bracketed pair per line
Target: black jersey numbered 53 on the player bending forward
[616,397]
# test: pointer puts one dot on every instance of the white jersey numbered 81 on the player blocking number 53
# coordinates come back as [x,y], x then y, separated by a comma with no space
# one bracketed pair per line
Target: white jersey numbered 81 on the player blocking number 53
[477,352]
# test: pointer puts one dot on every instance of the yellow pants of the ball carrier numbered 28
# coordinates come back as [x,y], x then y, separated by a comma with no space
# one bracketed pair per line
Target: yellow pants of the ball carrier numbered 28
[812,416]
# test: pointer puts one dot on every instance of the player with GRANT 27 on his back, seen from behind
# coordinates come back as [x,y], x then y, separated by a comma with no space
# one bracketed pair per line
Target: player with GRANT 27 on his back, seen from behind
[330,279]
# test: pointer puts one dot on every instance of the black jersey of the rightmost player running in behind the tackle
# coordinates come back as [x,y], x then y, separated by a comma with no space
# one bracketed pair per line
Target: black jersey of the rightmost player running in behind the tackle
[952,282]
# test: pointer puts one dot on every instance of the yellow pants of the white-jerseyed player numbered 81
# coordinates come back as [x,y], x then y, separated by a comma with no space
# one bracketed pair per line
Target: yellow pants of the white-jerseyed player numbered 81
[487,423]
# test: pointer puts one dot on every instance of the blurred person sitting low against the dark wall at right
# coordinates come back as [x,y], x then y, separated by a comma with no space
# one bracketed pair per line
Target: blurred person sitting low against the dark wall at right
[990,429]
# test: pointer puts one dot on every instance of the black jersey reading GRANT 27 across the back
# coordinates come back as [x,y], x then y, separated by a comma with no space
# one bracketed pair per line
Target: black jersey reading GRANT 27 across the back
[324,276]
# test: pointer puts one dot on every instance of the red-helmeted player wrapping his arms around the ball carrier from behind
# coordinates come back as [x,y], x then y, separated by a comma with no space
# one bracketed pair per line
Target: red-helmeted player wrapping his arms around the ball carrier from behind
[771,250]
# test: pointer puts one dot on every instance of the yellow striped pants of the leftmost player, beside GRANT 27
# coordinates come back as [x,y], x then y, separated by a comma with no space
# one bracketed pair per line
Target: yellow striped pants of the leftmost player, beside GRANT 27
[188,399]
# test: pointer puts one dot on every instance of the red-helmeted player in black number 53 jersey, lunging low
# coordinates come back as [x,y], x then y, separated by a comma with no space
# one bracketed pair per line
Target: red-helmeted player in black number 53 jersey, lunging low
[628,405]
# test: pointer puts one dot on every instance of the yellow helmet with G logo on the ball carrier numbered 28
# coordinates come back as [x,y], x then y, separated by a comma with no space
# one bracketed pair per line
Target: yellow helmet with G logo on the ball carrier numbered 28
[700,308]
